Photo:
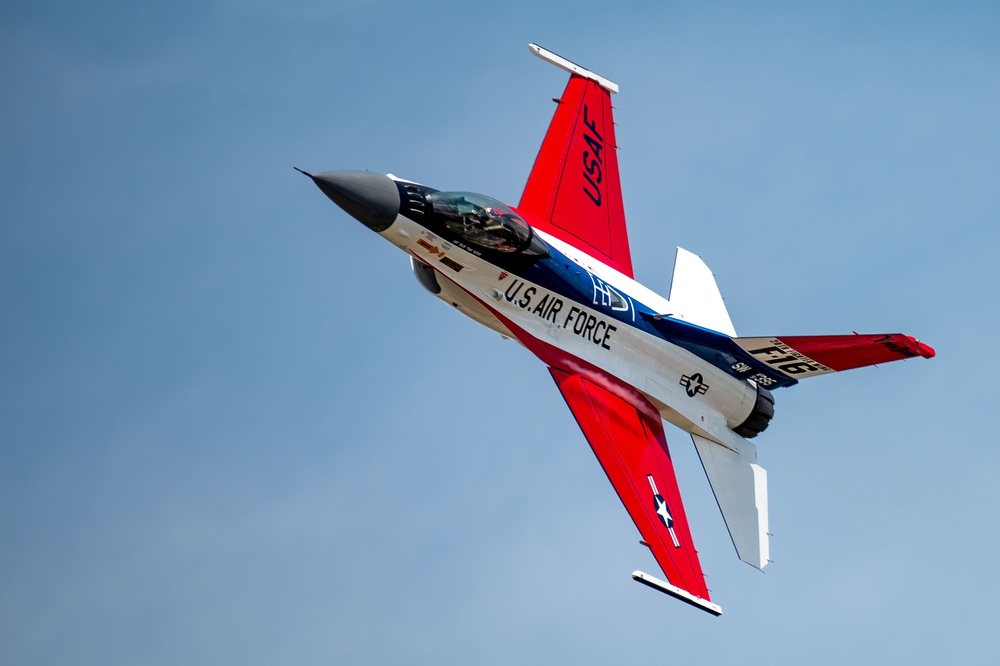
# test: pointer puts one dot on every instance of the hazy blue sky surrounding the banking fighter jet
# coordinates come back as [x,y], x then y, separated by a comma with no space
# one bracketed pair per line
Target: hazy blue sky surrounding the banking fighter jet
[234,429]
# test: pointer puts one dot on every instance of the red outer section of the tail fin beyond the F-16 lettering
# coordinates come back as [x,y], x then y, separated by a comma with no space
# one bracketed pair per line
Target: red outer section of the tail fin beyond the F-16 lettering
[843,352]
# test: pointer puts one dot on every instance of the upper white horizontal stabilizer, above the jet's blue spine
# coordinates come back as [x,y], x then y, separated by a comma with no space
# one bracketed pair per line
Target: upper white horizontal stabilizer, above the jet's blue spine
[694,296]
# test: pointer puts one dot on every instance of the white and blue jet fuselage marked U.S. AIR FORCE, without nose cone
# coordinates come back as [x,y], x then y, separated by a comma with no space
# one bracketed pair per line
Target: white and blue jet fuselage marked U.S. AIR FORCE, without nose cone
[568,306]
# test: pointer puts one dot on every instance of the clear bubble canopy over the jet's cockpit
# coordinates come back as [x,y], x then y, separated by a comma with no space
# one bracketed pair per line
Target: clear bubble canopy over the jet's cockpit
[481,221]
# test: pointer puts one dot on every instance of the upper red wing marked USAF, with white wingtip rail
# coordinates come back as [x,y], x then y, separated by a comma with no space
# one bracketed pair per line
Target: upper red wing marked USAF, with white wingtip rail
[574,190]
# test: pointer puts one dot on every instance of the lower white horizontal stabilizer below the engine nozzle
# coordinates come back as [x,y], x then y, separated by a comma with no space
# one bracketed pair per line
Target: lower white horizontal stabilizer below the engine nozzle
[740,487]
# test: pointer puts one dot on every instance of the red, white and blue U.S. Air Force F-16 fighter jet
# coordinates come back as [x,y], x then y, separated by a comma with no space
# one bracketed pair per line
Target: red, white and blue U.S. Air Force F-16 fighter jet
[555,274]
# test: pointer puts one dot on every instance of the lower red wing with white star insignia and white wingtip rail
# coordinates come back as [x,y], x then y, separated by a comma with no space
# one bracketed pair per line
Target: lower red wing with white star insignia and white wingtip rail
[626,434]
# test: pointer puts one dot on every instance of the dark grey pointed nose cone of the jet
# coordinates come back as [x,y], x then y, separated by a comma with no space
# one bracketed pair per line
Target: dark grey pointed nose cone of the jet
[370,198]
